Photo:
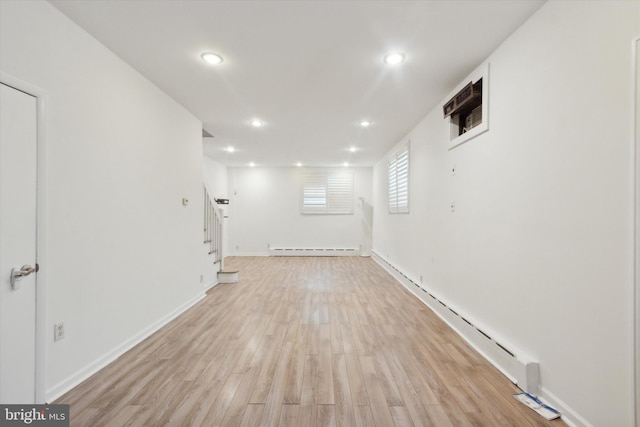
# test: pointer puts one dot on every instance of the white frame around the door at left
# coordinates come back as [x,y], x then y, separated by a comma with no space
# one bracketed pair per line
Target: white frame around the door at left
[41,232]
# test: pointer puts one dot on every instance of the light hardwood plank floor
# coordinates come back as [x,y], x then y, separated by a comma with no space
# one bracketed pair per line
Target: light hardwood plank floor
[302,342]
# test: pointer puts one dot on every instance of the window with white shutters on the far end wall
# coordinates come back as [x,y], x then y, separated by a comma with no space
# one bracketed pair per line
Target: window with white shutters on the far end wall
[327,193]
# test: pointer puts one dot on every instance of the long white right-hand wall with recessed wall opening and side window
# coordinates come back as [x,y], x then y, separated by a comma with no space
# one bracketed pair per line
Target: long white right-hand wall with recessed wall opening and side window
[539,249]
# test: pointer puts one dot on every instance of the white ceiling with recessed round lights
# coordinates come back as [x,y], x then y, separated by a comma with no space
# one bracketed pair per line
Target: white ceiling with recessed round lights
[311,70]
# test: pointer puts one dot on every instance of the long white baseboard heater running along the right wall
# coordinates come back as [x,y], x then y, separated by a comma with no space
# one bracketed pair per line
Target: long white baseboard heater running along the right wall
[519,368]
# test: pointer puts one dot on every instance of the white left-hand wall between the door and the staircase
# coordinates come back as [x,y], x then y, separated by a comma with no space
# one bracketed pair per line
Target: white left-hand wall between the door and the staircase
[122,252]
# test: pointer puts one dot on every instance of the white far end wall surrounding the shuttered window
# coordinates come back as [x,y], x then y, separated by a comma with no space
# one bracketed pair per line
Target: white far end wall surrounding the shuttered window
[265,209]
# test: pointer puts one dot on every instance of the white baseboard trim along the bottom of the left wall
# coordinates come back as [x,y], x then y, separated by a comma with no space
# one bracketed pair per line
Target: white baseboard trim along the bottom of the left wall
[73,380]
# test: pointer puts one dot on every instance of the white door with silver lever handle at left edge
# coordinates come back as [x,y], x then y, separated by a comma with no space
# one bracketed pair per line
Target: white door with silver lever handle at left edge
[18,167]
